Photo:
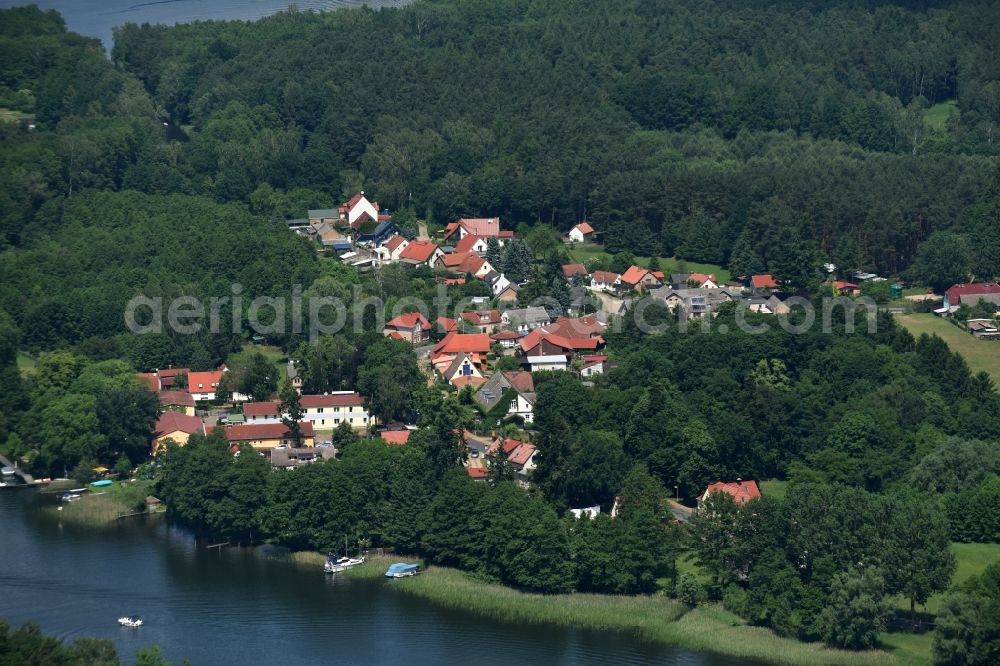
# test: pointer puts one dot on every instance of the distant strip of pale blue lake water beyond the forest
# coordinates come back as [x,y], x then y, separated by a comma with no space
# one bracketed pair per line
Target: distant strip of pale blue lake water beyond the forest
[96,18]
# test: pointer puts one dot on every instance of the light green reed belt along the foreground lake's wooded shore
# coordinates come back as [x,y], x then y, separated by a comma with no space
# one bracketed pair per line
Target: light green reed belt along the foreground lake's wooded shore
[653,619]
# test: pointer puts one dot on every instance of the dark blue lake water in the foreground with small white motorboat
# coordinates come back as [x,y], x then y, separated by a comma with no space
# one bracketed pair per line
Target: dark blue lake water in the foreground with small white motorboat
[236,607]
